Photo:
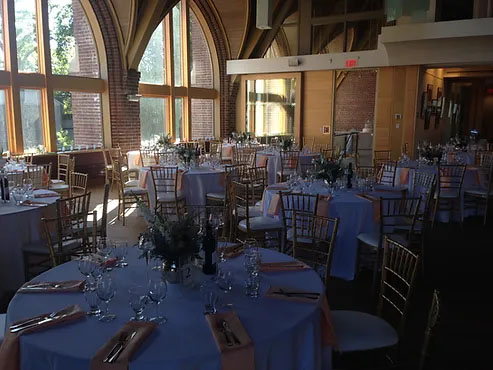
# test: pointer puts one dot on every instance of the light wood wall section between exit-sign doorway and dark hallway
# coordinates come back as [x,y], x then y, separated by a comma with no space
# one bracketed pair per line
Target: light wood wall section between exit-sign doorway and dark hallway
[397,91]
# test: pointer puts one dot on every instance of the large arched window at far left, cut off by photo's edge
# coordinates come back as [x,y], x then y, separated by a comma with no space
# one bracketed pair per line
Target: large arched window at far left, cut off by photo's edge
[50,86]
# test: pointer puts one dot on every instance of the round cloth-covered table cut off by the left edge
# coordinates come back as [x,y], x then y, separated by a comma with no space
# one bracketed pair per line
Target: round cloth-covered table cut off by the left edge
[20,226]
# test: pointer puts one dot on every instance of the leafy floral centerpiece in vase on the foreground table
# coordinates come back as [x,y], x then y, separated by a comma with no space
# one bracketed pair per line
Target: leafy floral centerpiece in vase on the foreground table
[175,243]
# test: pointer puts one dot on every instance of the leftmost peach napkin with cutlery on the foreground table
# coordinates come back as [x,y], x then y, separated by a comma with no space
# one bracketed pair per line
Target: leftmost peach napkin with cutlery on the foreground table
[10,348]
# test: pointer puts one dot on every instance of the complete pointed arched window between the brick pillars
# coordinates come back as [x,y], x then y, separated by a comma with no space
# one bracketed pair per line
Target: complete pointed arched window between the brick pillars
[177,79]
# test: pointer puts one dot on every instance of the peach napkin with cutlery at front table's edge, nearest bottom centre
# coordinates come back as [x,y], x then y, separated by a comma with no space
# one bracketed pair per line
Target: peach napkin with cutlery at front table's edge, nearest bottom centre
[238,356]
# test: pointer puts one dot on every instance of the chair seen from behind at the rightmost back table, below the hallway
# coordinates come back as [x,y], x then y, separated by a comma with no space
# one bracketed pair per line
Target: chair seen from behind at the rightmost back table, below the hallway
[449,190]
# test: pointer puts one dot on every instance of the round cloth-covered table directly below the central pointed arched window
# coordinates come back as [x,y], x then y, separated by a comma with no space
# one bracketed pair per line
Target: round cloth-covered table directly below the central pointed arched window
[197,182]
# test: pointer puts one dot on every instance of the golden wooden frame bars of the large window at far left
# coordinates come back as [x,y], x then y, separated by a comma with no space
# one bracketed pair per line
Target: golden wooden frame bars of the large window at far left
[12,81]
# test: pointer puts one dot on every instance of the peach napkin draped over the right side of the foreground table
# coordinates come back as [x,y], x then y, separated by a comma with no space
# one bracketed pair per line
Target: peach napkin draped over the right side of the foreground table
[328,332]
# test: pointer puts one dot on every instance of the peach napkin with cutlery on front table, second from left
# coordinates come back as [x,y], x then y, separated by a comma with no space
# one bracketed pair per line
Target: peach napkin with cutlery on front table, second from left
[142,331]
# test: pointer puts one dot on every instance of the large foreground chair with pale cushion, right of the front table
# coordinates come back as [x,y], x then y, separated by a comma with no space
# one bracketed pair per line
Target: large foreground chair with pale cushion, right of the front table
[359,332]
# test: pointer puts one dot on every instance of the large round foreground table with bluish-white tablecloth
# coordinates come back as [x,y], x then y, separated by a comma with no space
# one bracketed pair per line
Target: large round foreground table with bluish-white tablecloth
[286,335]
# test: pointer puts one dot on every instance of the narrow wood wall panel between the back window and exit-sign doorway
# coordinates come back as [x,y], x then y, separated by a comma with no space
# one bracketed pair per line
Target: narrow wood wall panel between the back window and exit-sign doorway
[317,105]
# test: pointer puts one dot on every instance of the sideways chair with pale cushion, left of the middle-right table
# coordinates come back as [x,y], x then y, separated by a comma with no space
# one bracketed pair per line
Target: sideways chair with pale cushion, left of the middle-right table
[242,198]
